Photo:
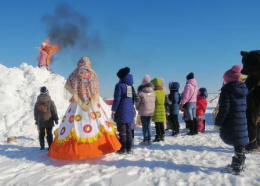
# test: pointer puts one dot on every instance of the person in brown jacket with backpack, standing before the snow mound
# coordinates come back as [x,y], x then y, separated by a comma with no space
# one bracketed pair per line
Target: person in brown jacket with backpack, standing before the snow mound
[45,114]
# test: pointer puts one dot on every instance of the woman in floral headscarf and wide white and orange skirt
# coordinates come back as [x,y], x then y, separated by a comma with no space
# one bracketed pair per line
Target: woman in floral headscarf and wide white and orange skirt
[85,131]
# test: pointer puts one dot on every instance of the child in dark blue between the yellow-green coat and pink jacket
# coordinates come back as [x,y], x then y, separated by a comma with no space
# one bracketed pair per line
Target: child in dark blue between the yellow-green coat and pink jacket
[175,98]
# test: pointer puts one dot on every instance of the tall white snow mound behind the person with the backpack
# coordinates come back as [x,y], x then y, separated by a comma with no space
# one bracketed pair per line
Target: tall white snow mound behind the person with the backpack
[19,88]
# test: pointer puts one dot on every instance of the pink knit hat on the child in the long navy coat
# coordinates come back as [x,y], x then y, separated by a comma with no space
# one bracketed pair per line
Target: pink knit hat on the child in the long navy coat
[233,74]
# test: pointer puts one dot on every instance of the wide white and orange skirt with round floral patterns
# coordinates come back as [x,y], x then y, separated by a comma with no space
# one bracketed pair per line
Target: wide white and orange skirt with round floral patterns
[84,134]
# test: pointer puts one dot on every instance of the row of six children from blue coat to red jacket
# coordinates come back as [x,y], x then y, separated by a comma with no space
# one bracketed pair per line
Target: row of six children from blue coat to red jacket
[150,104]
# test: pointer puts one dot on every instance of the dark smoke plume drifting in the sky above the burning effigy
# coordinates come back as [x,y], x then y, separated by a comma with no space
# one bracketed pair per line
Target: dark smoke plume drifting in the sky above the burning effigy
[70,29]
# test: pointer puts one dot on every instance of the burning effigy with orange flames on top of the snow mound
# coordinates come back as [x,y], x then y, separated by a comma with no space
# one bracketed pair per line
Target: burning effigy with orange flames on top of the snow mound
[46,52]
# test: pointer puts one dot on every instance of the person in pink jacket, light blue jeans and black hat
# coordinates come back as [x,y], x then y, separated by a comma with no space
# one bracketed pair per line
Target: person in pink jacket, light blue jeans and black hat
[188,103]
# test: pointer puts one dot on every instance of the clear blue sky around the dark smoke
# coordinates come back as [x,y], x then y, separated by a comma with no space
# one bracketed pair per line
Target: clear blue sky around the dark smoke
[165,39]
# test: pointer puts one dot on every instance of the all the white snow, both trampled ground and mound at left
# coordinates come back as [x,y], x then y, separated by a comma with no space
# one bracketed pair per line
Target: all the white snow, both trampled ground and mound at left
[181,160]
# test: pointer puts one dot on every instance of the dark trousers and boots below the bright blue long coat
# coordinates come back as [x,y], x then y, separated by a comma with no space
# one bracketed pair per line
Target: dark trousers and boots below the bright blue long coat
[125,135]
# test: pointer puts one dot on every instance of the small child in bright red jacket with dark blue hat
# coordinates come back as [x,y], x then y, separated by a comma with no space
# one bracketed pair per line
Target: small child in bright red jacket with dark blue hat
[201,107]
